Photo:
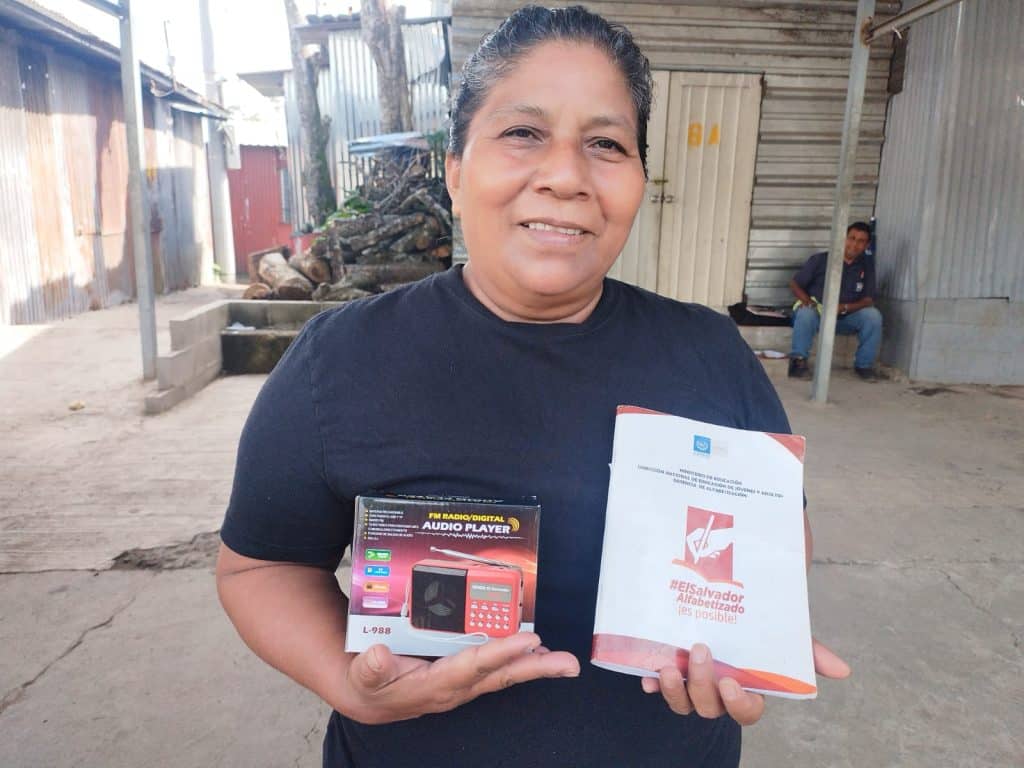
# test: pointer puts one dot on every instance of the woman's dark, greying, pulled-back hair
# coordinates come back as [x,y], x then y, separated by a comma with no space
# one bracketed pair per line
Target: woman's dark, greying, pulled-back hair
[531,26]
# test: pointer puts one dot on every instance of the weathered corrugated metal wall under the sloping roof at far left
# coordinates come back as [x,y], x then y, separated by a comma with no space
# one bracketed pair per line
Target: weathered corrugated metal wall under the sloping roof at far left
[63,187]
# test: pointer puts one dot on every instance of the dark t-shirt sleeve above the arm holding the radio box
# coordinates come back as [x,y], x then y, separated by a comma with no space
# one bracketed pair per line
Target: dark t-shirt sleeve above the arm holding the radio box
[283,507]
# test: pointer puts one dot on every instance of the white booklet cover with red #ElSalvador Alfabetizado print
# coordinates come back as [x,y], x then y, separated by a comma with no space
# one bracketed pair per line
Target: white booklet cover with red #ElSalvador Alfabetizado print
[704,542]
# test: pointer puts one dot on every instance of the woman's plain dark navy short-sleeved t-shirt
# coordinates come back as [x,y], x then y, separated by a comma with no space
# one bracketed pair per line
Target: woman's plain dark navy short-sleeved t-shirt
[423,391]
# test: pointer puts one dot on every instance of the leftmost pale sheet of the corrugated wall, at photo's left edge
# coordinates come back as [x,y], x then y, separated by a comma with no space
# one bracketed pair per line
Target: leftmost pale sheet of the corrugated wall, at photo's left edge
[19,247]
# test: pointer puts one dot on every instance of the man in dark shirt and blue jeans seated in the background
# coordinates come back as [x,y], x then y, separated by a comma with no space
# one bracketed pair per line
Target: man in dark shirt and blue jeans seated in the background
[857,298]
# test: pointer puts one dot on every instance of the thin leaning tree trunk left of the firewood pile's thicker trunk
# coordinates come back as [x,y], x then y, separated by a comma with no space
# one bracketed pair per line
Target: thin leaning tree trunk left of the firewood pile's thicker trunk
[317,187]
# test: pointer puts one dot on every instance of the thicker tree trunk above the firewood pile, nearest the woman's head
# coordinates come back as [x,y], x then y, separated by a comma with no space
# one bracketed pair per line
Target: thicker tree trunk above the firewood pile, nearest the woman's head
[382,32]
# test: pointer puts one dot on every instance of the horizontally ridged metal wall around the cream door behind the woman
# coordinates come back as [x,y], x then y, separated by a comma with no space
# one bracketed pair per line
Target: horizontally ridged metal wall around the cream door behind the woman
[803,52]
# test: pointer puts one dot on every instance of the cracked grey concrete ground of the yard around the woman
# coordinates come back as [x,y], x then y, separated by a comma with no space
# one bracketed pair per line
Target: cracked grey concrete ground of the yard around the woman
[114,652]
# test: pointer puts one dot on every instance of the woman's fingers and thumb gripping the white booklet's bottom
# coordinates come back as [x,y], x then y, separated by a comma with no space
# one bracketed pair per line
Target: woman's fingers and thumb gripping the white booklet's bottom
[711,699]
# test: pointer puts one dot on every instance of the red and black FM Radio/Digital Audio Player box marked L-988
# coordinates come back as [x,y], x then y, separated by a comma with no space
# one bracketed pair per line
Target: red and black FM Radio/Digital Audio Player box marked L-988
[433,576]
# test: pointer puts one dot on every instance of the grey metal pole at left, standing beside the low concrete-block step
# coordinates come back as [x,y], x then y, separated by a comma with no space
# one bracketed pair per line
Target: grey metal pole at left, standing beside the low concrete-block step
[132,93]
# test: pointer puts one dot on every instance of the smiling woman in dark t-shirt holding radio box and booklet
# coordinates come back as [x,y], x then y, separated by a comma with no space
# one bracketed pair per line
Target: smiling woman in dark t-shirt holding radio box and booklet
[500,379]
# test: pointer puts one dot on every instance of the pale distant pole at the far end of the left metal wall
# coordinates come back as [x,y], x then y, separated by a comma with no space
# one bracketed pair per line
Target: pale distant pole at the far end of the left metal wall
[221,194]
